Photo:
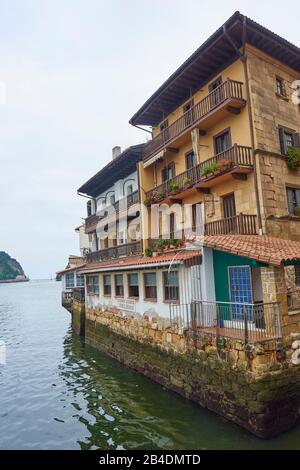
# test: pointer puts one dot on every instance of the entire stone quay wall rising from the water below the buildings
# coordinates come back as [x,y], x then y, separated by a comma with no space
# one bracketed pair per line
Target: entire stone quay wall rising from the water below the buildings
[256,386]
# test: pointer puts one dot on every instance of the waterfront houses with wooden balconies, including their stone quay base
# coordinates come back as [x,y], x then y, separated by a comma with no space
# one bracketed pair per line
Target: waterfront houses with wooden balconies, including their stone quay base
[196,281]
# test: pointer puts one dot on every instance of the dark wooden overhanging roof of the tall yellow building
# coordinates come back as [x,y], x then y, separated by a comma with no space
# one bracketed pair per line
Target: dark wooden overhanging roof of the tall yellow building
[208,60]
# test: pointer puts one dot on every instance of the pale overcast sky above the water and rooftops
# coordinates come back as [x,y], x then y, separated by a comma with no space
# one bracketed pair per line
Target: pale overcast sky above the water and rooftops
[75,71]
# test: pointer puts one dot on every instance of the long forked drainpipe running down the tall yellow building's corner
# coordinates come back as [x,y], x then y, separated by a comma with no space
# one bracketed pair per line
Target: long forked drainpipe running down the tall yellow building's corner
[243,59]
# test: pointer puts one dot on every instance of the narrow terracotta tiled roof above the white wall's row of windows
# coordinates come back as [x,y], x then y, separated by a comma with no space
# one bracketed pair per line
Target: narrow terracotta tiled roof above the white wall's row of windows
[189,258]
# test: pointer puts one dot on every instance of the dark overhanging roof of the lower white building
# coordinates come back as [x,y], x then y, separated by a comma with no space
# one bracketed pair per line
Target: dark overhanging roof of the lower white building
[116,169]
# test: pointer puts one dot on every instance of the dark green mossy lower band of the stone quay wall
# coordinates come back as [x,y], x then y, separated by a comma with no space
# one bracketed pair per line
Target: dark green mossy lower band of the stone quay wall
[265,404]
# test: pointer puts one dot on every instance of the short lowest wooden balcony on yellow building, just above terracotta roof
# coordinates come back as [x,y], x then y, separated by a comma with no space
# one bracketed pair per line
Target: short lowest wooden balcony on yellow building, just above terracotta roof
[242,224]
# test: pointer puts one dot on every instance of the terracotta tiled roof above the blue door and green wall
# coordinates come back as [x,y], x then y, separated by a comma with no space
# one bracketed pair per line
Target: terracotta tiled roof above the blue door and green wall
[275,251]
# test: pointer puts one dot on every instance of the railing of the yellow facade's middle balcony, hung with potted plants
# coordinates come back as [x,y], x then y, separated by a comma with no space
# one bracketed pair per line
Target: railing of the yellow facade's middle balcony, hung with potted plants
[237,156]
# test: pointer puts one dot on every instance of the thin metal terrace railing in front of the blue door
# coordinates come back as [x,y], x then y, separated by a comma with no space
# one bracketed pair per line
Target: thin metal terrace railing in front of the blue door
[248,322]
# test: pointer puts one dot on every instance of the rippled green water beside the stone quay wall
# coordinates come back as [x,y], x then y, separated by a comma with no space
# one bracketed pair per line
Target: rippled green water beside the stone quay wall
[57,393]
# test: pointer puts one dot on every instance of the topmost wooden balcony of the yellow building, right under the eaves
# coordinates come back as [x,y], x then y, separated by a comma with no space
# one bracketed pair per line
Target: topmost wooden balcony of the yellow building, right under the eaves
[226,98]
